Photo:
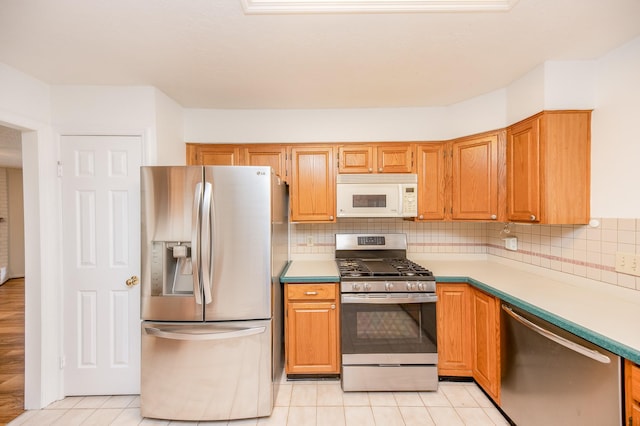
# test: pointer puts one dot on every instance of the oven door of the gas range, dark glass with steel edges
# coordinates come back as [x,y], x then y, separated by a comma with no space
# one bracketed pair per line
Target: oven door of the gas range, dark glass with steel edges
[389,328]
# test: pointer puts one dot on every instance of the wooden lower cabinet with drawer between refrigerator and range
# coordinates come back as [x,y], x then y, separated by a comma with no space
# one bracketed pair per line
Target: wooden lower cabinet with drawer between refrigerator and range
[311,329]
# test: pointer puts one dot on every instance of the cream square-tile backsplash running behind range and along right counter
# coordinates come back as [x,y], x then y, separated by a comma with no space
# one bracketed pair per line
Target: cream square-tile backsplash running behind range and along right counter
[580,250]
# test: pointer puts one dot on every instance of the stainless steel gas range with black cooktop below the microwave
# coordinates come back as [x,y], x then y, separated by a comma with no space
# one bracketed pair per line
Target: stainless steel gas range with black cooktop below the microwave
[388,316]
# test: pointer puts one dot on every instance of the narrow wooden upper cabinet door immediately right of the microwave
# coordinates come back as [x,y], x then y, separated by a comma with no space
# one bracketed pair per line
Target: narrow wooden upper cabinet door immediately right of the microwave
[431,170]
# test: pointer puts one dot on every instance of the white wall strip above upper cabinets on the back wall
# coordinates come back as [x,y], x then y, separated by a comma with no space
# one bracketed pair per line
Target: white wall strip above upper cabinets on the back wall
[325,125]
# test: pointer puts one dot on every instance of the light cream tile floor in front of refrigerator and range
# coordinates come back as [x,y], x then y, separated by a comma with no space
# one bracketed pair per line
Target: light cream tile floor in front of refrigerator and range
[300,403]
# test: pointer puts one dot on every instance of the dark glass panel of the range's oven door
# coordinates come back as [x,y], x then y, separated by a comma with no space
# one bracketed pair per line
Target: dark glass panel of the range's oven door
[393,328]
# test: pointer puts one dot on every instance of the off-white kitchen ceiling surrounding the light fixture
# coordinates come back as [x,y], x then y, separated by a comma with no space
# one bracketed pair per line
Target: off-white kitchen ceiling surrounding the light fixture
[210,54]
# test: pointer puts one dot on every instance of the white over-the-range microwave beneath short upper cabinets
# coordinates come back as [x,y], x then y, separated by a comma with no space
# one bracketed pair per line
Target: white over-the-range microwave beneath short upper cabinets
[377,195]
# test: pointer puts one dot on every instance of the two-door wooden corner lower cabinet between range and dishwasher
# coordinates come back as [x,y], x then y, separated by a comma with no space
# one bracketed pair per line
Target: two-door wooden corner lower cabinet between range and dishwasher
[468,323]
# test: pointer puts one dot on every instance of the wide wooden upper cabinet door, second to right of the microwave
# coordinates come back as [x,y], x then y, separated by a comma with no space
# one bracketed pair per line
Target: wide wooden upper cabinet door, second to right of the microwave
[474,178]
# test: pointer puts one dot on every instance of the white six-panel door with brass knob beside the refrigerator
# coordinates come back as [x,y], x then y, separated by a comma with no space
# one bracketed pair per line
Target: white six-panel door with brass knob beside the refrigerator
[101,243]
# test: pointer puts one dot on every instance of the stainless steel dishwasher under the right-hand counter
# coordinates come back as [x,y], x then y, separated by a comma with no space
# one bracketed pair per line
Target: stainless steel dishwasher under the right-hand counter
[552,377]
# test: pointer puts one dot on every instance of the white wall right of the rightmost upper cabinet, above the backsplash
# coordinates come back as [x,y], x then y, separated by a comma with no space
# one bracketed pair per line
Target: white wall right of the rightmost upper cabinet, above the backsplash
[615,148]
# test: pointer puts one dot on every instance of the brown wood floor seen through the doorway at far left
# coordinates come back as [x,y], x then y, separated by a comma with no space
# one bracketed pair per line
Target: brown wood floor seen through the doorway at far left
[11,350]
